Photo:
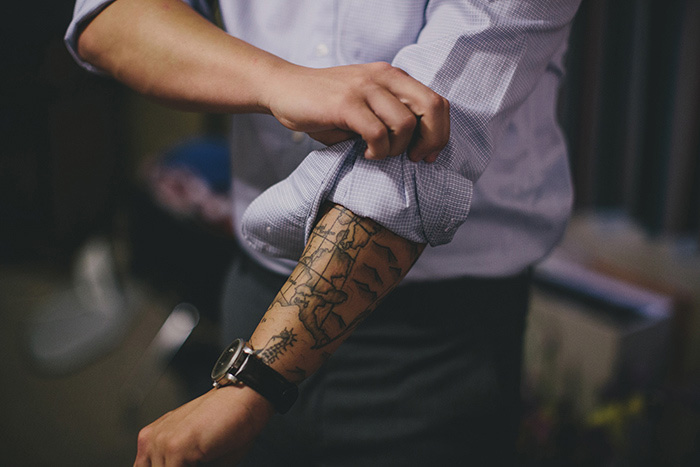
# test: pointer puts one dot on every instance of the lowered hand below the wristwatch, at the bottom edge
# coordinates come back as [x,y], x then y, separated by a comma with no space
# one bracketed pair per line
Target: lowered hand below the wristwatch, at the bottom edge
[219,426]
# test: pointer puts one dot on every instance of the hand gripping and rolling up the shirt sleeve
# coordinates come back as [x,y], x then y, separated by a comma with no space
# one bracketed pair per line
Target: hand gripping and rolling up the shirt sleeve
[385,106]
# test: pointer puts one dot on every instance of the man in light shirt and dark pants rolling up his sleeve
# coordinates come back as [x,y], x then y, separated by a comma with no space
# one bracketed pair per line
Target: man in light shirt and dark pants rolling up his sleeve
[432,375]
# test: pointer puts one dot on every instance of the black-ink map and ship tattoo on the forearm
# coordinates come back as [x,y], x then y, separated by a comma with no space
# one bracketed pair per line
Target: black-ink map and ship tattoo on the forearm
[349,265]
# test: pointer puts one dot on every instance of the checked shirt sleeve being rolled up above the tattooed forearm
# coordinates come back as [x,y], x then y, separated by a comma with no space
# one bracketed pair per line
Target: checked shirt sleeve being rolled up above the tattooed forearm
[485,57]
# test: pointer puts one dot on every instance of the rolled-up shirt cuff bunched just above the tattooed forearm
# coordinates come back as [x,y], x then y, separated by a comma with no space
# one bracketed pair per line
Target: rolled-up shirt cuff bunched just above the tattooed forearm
[421,202]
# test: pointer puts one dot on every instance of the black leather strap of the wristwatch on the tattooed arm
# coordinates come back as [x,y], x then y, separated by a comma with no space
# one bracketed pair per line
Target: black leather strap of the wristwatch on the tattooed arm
[268,382]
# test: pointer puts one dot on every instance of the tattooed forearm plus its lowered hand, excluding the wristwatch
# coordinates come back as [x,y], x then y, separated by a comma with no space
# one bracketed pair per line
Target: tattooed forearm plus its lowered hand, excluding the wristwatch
[349,265]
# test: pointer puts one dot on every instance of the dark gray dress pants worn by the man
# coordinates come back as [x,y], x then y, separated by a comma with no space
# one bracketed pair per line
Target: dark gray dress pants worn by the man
[432,377]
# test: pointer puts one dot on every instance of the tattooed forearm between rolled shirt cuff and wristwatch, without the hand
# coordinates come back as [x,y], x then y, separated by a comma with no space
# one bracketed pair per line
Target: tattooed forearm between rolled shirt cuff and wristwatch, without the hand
[349,265]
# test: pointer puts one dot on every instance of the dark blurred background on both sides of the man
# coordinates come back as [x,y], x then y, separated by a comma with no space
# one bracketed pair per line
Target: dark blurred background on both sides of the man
[113,211]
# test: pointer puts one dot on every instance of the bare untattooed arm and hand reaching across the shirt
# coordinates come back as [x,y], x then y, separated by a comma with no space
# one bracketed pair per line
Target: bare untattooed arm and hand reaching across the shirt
[165,50]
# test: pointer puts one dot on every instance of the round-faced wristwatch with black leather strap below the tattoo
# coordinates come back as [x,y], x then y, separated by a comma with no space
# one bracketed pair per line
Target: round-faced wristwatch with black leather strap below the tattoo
[238,364]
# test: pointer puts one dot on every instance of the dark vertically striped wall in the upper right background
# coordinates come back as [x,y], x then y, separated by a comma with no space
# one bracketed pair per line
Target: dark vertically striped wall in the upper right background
[631,110]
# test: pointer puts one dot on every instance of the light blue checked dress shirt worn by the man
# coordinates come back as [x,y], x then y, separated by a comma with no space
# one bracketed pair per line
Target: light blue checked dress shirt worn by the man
[504,171]
